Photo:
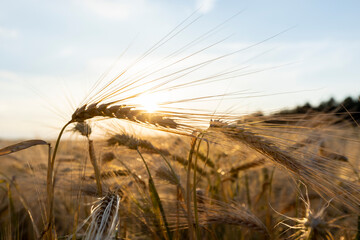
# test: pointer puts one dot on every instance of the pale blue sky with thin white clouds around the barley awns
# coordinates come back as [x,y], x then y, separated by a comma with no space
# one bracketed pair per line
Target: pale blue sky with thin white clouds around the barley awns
[53,52]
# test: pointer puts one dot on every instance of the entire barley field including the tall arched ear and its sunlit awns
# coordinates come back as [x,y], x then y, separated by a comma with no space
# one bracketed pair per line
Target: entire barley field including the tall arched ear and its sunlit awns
[196,174]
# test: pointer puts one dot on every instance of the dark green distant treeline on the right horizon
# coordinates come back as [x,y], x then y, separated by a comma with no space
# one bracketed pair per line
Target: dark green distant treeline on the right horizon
[348,109]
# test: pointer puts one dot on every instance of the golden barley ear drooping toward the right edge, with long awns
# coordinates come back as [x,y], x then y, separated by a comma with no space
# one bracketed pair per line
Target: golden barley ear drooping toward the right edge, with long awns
[319,173]
